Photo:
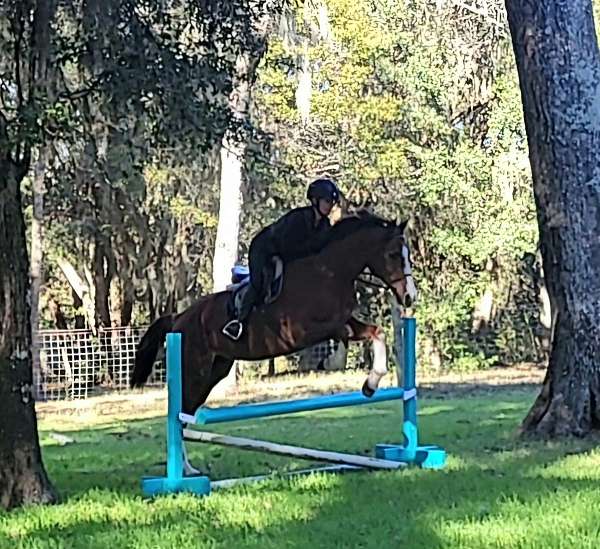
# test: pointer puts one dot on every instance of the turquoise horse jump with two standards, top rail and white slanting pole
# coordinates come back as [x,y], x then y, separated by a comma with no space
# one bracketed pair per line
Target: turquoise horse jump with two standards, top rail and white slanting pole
[410,452]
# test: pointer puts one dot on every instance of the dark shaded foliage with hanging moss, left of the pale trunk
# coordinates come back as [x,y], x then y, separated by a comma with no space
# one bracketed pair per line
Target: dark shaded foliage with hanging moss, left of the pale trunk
[114,88]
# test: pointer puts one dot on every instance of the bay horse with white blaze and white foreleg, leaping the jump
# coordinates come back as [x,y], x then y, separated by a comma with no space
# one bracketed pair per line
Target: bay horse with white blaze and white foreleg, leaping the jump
[316,303]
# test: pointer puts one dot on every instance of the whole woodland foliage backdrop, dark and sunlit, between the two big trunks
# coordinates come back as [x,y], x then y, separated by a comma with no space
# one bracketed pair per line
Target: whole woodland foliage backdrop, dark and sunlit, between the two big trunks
[415,110]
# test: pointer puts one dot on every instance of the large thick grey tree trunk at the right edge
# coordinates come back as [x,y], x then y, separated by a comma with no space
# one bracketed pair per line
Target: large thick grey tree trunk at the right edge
[559,70]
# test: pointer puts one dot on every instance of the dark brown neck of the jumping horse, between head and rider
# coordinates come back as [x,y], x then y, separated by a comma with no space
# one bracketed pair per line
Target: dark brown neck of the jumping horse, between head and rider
[349,256]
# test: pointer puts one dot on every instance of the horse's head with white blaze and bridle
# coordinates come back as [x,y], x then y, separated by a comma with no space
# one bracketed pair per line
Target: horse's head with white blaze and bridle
[393,265]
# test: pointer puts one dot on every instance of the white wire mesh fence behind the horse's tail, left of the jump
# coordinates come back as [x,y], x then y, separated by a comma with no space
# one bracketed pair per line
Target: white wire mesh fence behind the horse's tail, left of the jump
[76,364]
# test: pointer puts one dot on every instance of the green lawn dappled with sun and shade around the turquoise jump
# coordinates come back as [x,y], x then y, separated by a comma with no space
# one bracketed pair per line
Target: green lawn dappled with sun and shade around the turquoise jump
[495,492]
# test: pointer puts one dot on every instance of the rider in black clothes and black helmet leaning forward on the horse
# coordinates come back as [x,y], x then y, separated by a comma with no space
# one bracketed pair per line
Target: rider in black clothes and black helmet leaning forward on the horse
[301,232]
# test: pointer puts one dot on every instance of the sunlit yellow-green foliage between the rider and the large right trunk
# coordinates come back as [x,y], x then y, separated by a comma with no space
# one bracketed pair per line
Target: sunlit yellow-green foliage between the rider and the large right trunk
[409,124]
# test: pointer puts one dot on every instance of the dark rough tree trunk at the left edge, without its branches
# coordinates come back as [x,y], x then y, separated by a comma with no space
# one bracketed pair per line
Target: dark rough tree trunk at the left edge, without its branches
[23,478]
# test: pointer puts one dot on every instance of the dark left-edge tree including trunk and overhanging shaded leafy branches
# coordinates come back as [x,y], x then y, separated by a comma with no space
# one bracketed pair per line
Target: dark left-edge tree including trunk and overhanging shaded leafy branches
[158,67]
